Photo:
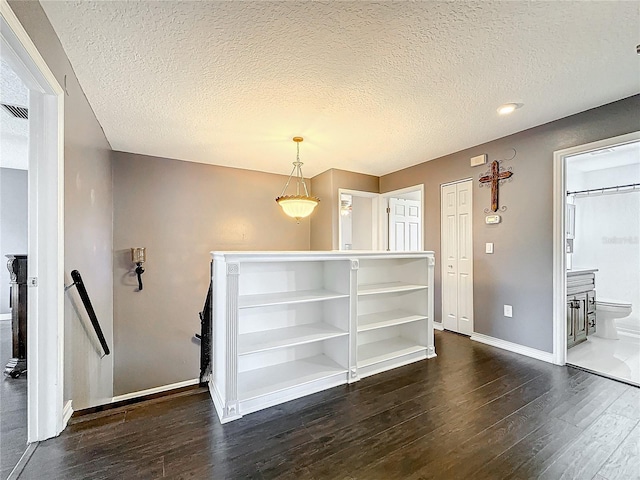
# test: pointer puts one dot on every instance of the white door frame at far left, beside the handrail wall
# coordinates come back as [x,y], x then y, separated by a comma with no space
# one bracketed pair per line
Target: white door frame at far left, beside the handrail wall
[45,332]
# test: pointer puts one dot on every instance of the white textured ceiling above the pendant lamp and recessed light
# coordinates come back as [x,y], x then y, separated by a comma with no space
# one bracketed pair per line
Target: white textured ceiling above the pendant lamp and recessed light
[372,86]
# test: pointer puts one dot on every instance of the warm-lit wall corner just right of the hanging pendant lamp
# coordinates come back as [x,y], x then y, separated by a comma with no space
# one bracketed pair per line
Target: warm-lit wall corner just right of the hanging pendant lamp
[324,223]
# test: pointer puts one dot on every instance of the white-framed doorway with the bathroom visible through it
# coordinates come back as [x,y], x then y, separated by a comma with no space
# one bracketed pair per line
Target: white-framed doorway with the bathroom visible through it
[598,195]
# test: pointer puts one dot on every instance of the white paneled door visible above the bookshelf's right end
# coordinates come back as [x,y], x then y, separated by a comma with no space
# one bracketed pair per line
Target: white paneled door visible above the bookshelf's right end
[405,226]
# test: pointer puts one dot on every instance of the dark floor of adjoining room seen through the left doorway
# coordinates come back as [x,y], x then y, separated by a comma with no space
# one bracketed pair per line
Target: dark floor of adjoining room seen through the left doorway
[13,409]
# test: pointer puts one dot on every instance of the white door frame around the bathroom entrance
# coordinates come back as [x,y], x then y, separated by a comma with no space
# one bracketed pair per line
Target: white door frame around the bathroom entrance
[559,236]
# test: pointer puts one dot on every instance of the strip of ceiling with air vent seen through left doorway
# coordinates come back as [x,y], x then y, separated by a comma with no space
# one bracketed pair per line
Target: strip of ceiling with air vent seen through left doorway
[14,132]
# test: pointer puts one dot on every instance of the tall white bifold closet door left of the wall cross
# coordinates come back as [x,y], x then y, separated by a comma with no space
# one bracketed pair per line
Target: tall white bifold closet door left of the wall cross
[457,257]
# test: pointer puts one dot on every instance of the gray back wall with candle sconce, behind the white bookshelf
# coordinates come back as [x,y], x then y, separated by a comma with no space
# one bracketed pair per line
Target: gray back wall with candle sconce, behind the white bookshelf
[180,212]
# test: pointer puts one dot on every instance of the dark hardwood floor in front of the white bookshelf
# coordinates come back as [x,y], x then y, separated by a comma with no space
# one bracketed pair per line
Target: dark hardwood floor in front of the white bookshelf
[474,412]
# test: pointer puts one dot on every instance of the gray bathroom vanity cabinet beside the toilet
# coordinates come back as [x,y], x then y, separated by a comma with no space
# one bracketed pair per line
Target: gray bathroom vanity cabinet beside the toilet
[581,305]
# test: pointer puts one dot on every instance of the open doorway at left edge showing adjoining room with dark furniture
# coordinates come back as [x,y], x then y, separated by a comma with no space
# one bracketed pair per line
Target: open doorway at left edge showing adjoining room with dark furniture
[14,162]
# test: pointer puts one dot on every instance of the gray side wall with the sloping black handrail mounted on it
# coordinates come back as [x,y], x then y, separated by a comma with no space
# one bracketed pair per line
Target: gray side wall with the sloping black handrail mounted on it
[88,220]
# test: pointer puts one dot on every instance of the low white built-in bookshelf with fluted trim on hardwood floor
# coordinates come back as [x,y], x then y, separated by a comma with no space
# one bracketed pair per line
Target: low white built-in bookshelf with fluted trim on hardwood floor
[288,324]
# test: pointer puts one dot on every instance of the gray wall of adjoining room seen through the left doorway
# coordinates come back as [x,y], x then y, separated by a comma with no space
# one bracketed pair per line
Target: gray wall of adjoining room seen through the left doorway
[13,224]
